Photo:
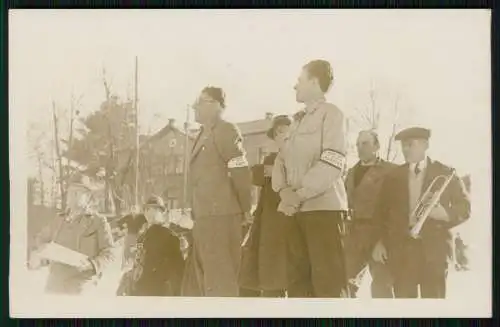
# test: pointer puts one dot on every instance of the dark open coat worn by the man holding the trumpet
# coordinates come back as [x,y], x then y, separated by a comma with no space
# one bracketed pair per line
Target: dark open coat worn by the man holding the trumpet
[393,215]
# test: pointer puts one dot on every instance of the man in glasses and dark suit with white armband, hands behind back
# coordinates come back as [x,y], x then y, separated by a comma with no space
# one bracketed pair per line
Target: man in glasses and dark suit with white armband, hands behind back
[220,181]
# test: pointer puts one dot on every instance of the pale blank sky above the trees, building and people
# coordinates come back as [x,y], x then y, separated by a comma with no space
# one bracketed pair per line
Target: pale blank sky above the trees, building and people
[437,61]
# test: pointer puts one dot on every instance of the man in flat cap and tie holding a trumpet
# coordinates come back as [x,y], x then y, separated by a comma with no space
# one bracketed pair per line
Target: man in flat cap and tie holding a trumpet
[423,261]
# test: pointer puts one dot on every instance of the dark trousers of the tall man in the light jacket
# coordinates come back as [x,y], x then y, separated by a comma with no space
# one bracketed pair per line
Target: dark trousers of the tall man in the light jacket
[315,258]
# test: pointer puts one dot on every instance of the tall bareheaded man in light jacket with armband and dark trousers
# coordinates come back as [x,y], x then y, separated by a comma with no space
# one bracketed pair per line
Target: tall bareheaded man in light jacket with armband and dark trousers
[308,176]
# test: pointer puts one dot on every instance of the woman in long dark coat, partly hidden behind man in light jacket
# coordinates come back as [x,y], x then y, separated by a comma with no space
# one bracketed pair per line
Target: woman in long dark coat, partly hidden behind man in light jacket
[263,269]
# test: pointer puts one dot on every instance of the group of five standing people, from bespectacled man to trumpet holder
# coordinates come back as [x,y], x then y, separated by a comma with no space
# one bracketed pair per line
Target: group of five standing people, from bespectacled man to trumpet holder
[327,229]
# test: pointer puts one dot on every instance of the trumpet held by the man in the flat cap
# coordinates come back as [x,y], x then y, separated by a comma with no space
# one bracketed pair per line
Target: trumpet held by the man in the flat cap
[427,202]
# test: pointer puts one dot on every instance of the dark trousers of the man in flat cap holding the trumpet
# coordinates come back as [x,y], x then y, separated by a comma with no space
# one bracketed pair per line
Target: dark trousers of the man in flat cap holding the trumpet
[412,270]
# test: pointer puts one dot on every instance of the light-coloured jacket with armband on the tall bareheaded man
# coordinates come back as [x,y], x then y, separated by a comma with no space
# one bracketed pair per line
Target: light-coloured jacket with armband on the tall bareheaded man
[313,158]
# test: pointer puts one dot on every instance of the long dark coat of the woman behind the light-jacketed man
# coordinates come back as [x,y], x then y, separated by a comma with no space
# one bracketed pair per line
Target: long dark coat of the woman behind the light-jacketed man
[264,255]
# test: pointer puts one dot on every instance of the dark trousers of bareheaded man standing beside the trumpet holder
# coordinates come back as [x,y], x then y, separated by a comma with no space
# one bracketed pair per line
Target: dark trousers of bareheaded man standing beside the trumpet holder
[358,246]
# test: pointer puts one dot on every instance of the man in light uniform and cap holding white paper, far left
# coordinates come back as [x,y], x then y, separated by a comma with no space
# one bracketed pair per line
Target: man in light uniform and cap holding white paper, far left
[82,230]
